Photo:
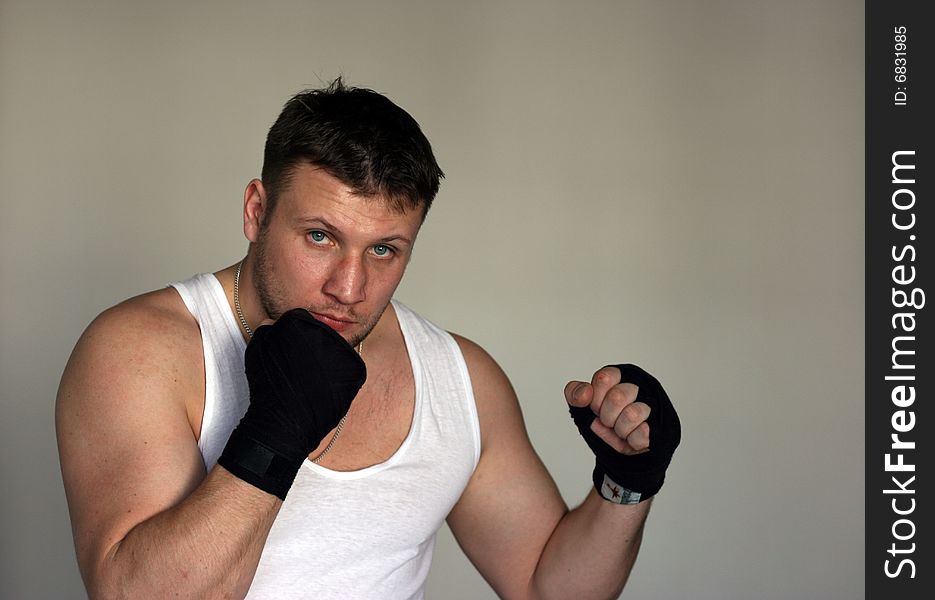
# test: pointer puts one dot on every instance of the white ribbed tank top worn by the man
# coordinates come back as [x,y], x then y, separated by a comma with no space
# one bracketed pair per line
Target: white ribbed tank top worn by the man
[359,534]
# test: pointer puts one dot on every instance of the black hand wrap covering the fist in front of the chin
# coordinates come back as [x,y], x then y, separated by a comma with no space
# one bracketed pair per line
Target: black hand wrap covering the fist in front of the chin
[302,377]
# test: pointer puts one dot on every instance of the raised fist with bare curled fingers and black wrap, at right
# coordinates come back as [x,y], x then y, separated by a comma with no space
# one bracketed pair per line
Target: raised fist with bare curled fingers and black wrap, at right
[629,423]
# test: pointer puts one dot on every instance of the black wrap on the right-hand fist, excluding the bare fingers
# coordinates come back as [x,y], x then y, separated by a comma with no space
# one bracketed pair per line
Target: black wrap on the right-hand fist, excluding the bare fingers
[630,479]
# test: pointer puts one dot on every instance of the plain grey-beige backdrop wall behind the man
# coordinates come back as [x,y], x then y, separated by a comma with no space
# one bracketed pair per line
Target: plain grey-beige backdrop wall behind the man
[678,184]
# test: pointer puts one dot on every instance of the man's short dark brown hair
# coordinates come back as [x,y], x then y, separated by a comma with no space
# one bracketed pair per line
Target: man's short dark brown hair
[358,136]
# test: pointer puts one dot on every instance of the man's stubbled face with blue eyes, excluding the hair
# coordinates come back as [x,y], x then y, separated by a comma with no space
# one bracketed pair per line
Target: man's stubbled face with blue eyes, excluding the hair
[335,253]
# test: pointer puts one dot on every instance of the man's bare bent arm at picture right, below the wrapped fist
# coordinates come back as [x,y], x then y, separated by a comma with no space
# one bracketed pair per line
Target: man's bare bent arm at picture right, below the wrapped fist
[514,526]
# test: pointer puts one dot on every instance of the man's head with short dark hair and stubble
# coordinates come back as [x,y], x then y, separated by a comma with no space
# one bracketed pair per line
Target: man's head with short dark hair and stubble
[347,180]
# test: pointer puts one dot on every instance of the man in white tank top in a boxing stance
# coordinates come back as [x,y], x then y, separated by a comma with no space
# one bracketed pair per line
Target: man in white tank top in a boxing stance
[282,428]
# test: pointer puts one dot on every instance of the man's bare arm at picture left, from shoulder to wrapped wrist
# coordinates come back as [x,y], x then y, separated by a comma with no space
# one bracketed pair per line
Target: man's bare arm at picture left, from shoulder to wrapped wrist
[147,521]
